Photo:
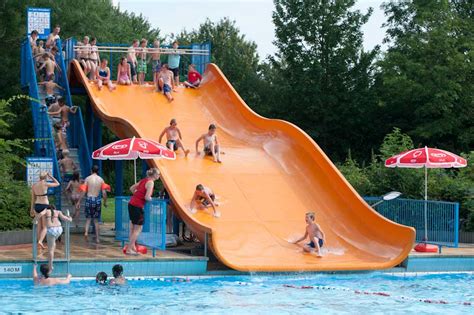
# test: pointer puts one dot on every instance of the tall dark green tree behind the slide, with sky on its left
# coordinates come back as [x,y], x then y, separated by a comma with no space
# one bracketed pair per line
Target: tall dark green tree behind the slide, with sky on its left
[325,76]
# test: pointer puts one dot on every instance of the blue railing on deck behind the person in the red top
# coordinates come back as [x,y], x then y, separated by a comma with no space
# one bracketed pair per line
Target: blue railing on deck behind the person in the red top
[154,229]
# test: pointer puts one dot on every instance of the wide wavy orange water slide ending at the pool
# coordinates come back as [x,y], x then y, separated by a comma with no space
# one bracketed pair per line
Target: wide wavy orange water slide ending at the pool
[272,174]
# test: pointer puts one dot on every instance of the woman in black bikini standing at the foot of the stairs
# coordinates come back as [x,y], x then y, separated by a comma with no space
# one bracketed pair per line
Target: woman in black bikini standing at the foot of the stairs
[40,201]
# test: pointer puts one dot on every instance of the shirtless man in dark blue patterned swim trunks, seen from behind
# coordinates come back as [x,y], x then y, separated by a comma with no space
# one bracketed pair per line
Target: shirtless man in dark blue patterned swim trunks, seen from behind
[95,185]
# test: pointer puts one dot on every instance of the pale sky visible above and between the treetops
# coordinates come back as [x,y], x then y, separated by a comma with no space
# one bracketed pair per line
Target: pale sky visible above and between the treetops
[253,17]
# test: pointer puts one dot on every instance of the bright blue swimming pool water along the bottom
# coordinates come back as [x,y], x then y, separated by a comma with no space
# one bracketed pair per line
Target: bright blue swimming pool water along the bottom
[291,294]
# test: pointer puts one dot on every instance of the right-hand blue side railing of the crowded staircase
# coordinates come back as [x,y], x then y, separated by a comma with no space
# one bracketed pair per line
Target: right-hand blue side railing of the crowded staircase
[77,134]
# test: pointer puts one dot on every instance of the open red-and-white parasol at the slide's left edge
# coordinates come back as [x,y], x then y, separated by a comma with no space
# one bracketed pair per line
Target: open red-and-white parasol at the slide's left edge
[132,149]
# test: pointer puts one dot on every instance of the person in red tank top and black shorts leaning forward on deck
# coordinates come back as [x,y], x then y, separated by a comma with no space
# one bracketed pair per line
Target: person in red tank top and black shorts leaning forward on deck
[142,192]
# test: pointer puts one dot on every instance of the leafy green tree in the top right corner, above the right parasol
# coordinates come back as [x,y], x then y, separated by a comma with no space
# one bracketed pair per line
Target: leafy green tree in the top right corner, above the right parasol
[427,76]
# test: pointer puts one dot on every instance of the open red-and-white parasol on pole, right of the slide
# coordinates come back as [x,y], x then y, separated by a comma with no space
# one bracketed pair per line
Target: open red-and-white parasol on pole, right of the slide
[427,158]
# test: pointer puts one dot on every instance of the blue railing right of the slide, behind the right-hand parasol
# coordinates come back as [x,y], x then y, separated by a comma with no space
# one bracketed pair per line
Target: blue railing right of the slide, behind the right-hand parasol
[443,218]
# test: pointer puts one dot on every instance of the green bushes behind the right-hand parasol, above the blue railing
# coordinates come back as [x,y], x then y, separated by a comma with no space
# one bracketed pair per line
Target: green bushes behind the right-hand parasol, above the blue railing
[456,185]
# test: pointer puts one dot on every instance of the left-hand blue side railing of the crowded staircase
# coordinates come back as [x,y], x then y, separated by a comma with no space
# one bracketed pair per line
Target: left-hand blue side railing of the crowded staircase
[44,142]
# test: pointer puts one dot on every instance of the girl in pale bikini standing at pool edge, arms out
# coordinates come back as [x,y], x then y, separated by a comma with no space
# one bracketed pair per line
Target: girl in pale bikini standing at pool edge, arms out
[54,230]
